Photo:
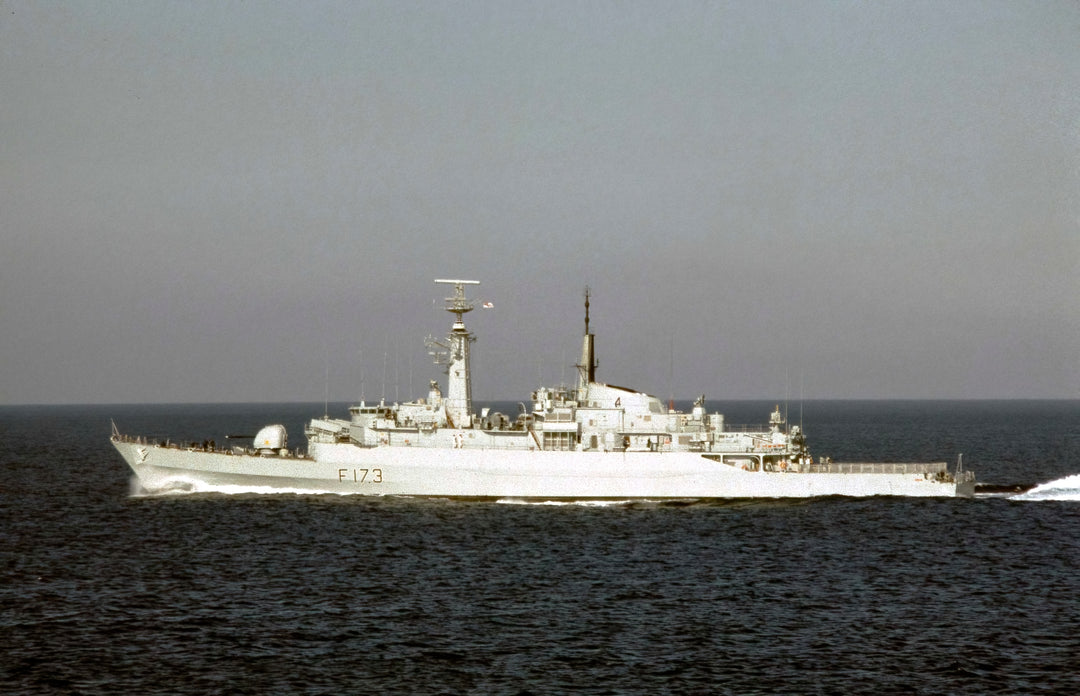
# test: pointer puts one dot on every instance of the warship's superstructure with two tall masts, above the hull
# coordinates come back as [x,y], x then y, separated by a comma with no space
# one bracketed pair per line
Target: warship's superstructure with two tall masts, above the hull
[590,418]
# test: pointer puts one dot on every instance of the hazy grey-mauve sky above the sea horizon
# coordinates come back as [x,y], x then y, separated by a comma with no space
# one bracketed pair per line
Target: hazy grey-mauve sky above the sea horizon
[228,202]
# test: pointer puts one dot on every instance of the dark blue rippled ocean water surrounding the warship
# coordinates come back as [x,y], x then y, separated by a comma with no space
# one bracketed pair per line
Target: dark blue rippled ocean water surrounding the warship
[105,593]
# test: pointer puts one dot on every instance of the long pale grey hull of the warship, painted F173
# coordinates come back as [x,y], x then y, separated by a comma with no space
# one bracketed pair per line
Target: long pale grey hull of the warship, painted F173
[508,475]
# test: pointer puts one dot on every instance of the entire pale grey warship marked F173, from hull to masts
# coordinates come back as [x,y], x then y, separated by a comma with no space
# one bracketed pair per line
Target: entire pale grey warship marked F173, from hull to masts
[589,441]
